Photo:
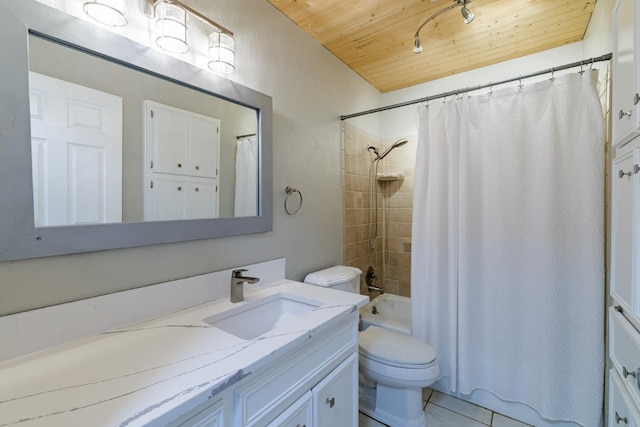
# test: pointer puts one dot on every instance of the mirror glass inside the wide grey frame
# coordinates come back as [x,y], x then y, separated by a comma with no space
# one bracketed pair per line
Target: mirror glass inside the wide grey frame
[60,66]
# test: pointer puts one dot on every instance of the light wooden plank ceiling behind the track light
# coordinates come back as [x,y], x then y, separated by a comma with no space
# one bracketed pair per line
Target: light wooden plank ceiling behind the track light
[375,37]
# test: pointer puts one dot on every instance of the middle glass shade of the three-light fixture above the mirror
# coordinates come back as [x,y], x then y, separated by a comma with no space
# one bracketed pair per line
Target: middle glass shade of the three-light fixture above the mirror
[171,22]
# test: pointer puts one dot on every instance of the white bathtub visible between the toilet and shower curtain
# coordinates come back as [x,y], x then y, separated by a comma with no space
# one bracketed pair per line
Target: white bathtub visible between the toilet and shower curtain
[391,312]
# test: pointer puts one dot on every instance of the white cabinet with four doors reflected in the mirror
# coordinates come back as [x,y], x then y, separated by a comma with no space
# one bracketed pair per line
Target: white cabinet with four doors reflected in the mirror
[181,163]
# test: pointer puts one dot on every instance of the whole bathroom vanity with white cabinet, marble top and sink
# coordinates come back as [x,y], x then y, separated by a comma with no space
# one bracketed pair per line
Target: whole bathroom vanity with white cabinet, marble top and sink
[286,355]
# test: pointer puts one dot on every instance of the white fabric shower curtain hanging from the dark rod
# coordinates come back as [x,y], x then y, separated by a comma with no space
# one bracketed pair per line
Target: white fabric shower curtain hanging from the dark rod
[508,244]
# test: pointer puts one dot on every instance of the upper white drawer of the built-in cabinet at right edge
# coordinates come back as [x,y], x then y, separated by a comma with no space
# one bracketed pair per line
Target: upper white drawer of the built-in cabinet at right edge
[624,351]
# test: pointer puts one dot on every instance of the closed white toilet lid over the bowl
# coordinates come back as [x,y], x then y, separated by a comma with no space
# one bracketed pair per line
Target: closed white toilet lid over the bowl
[394,348]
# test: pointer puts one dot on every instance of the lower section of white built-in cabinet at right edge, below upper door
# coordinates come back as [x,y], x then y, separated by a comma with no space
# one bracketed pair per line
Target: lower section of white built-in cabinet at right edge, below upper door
[624,316]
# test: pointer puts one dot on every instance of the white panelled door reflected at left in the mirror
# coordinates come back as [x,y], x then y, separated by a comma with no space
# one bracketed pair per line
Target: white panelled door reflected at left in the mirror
[76,145]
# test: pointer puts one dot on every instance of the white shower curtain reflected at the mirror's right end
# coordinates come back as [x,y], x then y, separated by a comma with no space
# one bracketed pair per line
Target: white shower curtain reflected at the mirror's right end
[246,196]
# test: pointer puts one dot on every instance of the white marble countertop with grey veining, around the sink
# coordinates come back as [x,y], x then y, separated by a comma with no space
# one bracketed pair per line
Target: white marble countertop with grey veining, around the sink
[136,375]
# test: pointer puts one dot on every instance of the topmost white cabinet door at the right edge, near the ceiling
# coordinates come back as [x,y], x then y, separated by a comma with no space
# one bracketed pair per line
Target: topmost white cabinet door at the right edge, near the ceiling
[625,120]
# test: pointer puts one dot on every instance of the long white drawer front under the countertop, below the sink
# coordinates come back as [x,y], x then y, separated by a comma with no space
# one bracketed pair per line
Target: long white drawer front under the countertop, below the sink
[276,389]
